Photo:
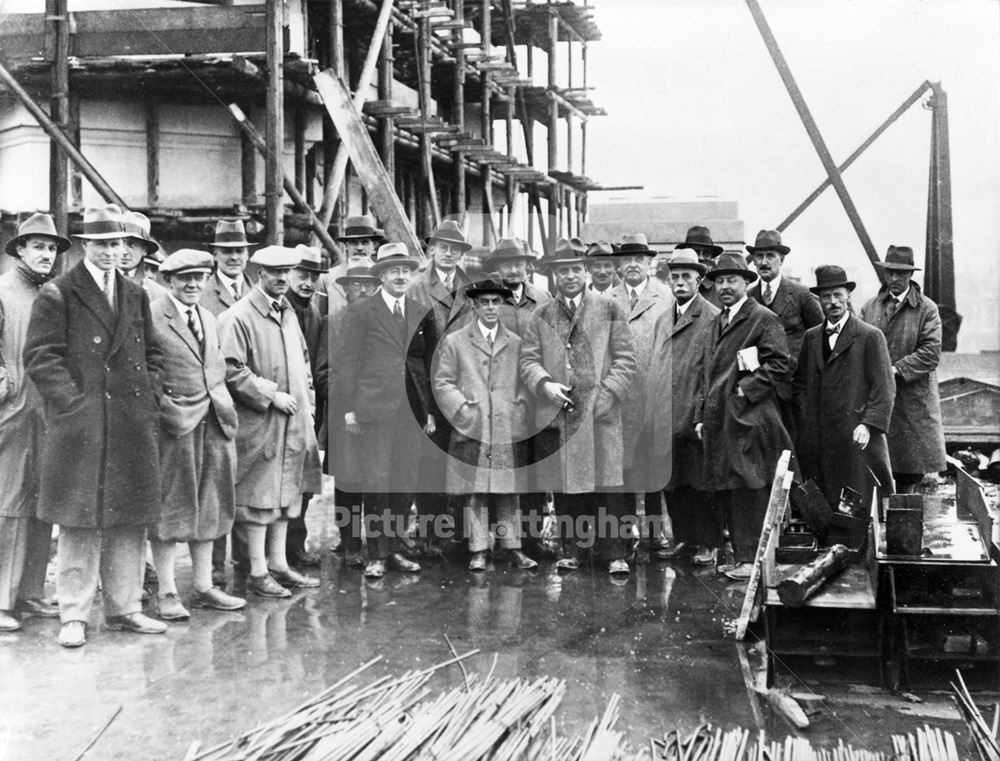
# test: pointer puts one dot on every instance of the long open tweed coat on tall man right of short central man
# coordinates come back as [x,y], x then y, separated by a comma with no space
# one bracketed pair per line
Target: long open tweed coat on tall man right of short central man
[591,351]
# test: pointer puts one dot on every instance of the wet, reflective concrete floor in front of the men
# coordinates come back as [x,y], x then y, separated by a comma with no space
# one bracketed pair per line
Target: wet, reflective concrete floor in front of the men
[657,640]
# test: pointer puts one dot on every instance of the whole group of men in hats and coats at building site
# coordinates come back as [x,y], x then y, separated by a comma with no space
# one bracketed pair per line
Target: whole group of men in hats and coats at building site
[193,408]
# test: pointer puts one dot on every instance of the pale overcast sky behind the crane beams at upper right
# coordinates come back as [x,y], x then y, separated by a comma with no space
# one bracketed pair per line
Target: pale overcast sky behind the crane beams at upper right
[696,108]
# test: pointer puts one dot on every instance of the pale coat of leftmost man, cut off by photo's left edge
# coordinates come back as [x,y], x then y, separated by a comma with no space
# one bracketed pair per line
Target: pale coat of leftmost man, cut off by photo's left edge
[22,411]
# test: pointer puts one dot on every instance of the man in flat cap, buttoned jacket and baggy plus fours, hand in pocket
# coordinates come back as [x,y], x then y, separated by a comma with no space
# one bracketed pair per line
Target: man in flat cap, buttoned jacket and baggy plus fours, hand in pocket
[197,430]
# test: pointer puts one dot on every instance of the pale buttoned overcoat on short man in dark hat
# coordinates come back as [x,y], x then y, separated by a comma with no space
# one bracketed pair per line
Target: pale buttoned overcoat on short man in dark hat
[478,390]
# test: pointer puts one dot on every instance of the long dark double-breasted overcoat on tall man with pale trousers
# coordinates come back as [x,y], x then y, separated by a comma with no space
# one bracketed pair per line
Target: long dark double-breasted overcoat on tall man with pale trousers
[98,371]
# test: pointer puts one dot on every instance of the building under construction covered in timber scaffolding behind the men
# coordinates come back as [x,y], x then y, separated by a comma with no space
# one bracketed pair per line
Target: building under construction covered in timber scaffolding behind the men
[422,108]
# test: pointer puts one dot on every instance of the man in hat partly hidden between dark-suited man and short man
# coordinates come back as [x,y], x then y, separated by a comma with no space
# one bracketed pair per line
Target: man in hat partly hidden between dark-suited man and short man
[440,291]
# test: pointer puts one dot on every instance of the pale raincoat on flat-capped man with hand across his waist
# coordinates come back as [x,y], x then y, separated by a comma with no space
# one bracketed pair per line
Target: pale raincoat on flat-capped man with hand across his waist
[276,454]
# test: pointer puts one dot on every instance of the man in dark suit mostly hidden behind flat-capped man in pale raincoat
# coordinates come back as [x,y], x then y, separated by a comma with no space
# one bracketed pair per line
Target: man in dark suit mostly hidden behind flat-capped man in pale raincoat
[301,296]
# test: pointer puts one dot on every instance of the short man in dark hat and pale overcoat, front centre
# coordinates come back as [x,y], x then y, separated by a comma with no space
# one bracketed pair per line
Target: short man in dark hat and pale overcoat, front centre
[478,391]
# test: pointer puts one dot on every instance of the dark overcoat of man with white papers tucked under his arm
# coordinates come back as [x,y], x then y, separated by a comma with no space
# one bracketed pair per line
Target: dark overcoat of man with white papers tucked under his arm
[743,435]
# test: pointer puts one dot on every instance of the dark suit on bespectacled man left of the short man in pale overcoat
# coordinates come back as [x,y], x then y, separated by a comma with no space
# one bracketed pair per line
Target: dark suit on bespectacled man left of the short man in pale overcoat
[382,379]
